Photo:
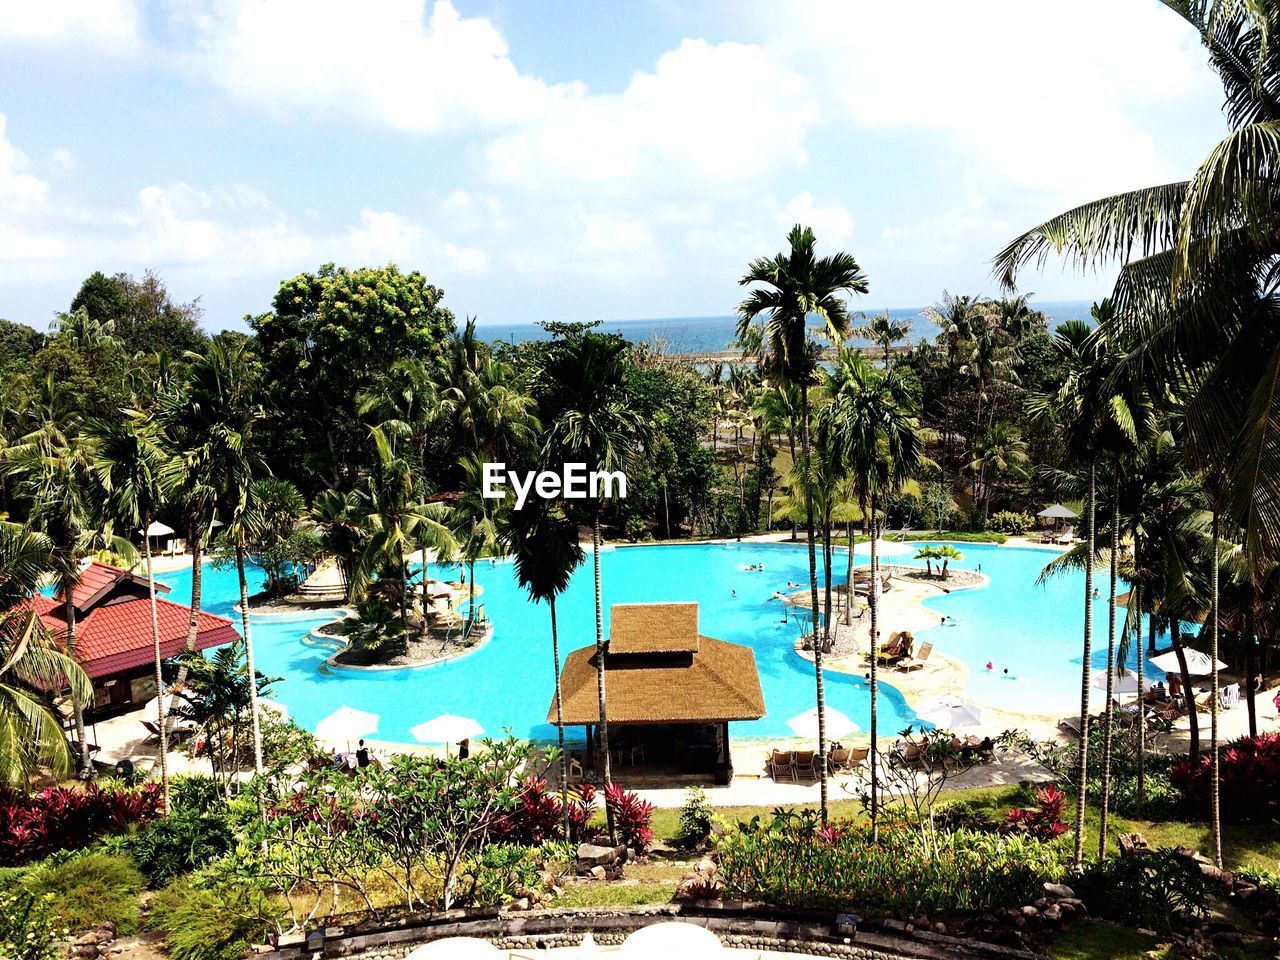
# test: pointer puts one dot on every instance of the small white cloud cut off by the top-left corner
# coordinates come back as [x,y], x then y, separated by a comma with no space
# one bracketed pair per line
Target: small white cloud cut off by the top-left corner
[112,26]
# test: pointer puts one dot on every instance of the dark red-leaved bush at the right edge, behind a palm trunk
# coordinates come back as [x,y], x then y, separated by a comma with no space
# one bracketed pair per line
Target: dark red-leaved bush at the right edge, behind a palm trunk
[1250,780]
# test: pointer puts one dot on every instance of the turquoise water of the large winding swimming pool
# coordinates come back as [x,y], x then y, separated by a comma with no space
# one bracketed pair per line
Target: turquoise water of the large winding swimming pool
[508,684]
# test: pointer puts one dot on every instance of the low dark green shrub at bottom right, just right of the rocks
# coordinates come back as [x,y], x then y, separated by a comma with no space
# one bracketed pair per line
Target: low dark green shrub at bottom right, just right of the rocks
[1159,890]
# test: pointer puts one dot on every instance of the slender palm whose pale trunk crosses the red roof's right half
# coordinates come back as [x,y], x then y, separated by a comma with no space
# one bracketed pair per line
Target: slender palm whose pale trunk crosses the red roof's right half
[129,467]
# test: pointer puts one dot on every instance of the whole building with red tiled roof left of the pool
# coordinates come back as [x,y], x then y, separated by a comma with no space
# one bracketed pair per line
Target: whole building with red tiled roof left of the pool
[113,632]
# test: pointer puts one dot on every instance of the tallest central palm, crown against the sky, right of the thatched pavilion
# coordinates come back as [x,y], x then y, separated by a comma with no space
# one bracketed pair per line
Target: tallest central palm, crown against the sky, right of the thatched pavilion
[789,289]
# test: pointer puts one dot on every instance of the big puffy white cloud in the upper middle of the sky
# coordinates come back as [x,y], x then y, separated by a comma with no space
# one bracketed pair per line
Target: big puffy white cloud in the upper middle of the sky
[676,130]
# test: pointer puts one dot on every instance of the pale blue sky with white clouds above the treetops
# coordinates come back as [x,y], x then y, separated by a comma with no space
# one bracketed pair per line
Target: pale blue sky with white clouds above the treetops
[556,161]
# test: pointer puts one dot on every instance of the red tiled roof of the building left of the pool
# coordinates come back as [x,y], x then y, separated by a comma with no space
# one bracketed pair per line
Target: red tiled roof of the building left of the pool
[113,638]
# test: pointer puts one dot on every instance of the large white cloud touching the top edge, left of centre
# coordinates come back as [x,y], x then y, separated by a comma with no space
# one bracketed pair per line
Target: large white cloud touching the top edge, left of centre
[391,61]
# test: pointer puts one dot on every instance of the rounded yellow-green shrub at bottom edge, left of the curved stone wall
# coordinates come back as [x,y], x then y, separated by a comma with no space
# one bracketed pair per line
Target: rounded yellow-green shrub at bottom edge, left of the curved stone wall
[203,924]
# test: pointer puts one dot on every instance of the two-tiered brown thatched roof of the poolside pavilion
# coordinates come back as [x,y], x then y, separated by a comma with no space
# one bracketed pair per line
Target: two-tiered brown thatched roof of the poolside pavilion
[701,682]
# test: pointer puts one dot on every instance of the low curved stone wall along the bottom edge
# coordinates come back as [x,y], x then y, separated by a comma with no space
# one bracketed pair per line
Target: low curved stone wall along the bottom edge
[738,925]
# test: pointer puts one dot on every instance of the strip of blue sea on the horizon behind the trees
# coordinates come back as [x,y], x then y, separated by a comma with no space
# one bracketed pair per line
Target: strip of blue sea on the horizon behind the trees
[715,335]
